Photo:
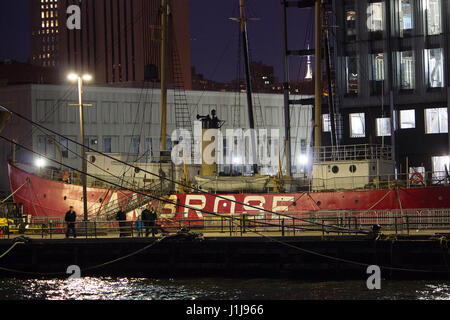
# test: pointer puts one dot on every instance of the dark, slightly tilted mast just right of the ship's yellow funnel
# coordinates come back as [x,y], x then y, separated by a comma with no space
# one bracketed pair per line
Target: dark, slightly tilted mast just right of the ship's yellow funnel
[243,23]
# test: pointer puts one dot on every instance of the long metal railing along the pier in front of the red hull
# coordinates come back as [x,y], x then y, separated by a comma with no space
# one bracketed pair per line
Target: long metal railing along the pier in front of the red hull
[339,222]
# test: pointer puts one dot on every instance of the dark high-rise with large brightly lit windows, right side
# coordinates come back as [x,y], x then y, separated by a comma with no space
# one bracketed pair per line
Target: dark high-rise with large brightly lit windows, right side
[393,78]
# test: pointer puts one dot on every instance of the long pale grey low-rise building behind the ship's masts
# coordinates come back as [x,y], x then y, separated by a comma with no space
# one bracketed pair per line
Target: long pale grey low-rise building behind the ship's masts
[127,121]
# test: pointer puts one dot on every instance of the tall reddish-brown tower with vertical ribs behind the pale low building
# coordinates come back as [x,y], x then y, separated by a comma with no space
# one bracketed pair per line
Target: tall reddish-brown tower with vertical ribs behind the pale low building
[119,41]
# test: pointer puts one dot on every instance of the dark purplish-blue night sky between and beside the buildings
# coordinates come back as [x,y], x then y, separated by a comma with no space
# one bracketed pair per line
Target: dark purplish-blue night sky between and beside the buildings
[214,37]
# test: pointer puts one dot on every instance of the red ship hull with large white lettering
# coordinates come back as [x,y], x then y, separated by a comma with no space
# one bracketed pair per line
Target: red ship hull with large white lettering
[47,198]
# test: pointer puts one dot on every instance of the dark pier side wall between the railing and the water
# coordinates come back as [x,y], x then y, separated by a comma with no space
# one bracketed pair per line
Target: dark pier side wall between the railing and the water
[185,255]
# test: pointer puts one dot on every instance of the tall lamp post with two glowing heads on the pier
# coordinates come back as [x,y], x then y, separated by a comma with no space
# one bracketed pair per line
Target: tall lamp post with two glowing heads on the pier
[73,77]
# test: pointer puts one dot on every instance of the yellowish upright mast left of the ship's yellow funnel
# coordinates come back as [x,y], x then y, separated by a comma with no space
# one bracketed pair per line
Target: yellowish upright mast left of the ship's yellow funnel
[164,22]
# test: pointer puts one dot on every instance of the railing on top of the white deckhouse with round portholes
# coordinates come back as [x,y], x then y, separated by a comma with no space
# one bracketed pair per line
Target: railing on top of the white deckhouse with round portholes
[353,153]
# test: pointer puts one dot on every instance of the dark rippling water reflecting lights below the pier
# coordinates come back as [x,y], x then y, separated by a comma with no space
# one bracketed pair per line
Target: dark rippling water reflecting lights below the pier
[217,289]
